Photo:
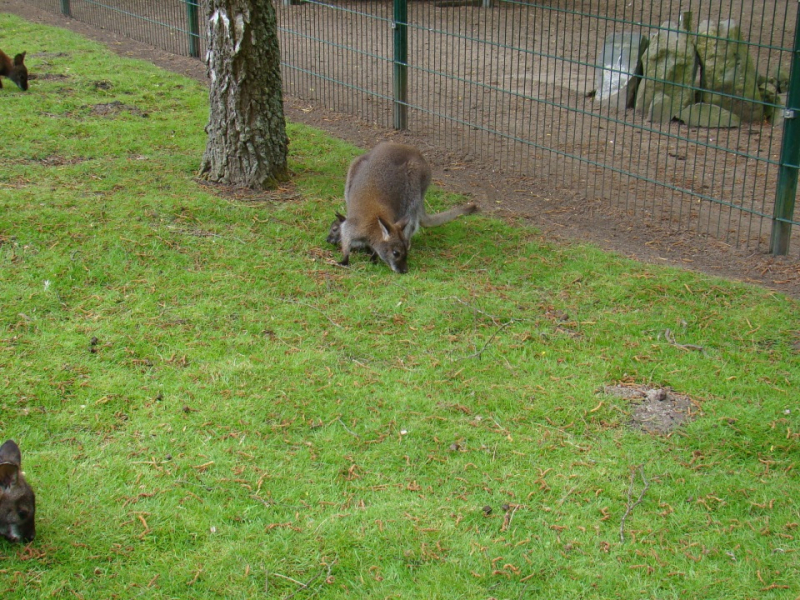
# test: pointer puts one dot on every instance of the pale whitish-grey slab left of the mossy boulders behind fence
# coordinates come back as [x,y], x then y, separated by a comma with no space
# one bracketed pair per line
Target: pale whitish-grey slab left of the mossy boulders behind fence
[621,61]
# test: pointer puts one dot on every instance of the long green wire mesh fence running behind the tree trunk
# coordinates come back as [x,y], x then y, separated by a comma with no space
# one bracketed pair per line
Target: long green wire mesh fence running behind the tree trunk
[523,88]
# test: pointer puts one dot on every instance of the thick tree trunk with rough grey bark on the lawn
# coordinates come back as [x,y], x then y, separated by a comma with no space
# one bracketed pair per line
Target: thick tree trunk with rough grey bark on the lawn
[247,143]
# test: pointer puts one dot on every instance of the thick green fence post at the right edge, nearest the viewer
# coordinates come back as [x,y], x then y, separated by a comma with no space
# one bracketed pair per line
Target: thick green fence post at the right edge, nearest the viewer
[783,212]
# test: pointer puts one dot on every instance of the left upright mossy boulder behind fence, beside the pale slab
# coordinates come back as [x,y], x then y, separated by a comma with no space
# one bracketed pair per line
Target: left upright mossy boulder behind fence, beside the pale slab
[669,65]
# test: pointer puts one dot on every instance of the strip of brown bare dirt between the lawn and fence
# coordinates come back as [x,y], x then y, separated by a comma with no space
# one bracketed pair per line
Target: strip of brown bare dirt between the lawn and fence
[567,216]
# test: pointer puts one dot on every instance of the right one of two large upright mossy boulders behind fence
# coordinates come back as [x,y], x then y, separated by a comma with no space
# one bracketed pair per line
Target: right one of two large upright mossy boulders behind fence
[727,67]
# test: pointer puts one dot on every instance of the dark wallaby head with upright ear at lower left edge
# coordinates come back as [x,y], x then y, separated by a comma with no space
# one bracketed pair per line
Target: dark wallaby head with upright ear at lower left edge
[17,501]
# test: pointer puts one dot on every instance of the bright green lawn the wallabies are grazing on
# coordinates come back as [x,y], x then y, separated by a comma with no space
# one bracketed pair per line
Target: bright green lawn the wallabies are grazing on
[255,417]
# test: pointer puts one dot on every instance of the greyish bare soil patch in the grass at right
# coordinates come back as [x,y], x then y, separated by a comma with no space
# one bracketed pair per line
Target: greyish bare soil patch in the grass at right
[654,410]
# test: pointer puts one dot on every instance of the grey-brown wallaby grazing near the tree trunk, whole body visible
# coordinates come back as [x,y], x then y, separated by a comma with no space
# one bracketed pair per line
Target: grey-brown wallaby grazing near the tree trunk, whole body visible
[385,197]
